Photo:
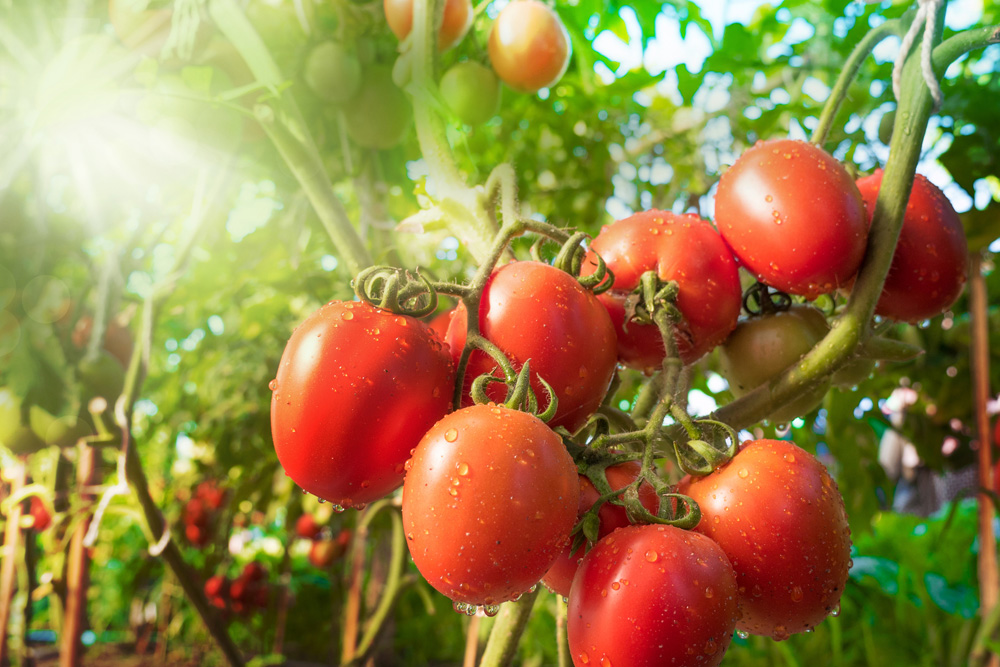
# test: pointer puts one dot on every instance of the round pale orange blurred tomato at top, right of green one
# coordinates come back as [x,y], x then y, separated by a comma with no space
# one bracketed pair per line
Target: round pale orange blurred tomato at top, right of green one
[529,46]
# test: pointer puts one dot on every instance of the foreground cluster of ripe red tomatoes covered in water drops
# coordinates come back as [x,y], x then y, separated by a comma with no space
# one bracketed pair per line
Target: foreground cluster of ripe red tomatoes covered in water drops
[493,415]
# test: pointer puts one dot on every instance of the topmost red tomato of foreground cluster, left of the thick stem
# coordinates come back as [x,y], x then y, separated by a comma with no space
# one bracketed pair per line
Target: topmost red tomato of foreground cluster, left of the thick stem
[793,216]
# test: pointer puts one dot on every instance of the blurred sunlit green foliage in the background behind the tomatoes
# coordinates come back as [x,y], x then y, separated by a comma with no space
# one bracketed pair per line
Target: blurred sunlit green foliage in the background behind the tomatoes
[122,146]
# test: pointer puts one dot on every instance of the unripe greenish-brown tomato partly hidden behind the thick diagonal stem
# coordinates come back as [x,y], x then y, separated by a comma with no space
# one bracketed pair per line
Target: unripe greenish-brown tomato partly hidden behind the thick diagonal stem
[763,346]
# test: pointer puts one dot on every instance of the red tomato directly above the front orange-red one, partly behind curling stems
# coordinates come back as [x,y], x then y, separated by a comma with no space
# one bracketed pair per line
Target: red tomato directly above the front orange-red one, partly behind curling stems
[535,311]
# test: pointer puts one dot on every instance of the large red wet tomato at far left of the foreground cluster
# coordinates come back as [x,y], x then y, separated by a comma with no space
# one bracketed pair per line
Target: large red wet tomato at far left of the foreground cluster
[356,389]
